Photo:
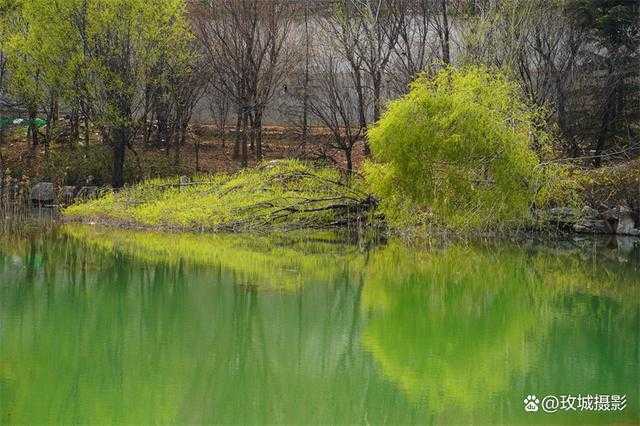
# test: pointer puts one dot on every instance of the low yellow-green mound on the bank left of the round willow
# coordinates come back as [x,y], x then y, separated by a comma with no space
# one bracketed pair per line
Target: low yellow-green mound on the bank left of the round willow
[276,195]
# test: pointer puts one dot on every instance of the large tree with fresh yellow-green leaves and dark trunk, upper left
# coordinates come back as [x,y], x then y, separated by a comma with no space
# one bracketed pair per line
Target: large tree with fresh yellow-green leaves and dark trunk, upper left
[98,57]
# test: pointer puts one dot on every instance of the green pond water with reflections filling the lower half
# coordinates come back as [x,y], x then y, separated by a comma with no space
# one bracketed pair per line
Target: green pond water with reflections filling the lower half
[102,326]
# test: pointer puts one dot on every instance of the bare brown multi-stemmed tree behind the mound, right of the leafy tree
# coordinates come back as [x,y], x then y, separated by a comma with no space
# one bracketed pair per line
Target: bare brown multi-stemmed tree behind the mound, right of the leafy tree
[246,43]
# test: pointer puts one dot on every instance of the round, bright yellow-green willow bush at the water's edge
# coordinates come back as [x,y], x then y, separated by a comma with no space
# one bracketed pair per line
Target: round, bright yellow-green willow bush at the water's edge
[457,151]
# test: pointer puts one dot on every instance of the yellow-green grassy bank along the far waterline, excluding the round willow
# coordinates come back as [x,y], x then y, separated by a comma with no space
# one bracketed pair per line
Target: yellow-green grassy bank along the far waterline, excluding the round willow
[289,194]
